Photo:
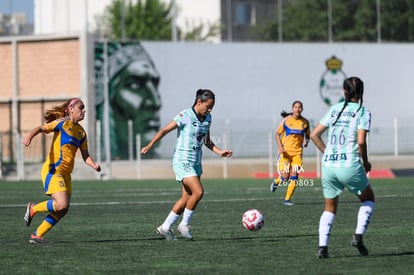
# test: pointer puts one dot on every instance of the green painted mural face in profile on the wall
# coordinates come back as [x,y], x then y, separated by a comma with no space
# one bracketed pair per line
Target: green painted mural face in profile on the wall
[134,98]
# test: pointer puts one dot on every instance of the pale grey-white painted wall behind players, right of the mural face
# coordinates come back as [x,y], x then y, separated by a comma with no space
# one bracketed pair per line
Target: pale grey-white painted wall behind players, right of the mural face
[254,82]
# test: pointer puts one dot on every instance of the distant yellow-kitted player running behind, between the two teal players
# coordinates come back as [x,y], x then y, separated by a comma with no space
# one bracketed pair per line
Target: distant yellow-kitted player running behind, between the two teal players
[292,135]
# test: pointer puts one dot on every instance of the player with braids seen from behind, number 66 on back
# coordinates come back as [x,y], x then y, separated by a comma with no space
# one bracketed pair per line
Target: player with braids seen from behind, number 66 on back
[345,162]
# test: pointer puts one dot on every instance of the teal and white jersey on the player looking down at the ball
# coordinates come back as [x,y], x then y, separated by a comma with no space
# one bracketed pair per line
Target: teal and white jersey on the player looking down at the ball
[191,133]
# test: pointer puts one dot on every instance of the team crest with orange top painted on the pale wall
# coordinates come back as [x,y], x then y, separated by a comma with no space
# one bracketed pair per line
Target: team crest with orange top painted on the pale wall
[331,84]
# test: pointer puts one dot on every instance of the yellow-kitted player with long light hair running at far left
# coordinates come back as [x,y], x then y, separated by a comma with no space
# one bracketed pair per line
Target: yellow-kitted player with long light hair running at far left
[69,136]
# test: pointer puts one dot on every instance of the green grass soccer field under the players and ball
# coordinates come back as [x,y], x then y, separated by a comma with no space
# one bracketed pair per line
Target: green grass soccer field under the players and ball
[110,229]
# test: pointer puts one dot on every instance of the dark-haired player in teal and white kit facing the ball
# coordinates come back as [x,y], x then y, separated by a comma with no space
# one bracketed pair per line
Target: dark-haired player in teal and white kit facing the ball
[193,131]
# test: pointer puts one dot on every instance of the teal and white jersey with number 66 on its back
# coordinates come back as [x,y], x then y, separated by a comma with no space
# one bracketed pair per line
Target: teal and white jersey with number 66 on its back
[342,146]
